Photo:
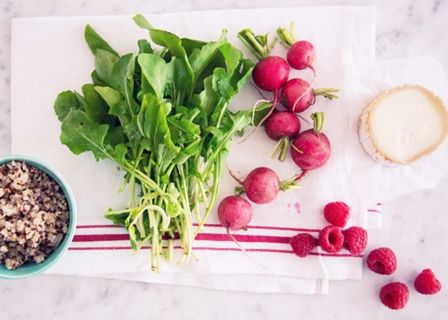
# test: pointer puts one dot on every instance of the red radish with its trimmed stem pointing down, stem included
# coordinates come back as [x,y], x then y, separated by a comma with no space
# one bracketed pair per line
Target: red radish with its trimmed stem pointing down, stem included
[281,126]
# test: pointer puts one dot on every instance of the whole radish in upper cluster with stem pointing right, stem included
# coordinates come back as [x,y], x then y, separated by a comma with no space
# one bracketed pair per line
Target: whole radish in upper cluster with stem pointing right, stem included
[298,95]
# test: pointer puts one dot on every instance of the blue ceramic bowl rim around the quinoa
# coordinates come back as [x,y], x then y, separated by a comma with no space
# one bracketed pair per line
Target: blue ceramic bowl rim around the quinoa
[31,269]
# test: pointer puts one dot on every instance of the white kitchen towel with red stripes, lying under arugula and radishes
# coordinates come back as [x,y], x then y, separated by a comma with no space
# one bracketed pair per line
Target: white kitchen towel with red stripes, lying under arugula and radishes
[344,38]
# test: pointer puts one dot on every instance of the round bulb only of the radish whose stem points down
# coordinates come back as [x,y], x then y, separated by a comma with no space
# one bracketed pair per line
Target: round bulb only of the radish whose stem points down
[282,124]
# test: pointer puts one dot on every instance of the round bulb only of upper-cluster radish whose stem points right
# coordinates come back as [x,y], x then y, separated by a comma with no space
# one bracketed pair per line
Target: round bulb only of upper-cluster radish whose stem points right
[297,95]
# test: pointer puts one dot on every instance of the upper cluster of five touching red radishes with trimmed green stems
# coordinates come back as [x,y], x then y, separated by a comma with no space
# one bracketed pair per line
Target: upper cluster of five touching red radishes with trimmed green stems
[311,148]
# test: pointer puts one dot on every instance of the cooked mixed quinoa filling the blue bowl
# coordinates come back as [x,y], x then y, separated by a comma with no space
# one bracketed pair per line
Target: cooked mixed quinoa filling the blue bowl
[33,214]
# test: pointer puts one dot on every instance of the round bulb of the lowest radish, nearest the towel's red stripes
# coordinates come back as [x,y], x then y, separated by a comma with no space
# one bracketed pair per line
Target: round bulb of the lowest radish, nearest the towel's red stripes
[234,213]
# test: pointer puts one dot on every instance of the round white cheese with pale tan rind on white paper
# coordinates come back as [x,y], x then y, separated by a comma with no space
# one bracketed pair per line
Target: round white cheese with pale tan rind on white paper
[403,124]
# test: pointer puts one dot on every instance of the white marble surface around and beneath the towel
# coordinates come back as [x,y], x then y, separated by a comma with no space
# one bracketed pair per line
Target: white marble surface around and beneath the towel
[405,28]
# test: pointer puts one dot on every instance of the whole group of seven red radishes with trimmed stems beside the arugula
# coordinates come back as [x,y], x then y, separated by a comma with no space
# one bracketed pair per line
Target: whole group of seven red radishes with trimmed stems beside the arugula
[310,149]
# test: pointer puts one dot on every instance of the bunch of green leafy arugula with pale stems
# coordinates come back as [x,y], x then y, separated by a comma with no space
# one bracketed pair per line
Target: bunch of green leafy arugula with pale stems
[162,115]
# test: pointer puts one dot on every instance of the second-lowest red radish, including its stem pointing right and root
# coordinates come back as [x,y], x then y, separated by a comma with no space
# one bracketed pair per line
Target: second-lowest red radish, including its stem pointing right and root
[262,185]
